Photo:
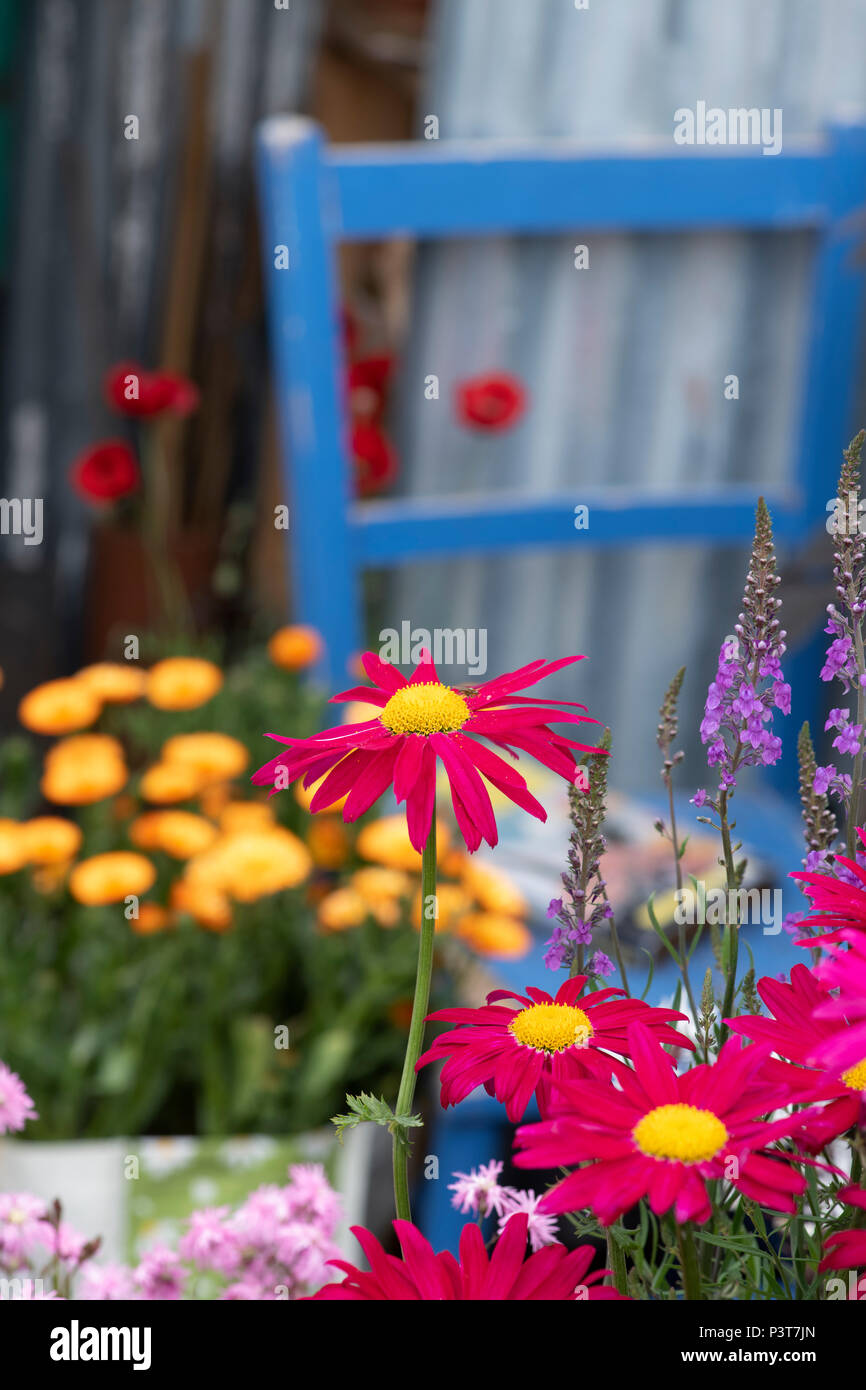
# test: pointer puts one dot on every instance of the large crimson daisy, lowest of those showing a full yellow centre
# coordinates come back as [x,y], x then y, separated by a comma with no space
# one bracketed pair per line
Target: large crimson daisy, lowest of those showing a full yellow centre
[665,1136]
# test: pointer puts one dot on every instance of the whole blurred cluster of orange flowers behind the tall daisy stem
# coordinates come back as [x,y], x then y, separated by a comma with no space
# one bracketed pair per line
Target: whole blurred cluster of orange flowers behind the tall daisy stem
[230,851]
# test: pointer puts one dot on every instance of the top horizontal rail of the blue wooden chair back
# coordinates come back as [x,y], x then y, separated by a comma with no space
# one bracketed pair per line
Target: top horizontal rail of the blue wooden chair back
[477,188]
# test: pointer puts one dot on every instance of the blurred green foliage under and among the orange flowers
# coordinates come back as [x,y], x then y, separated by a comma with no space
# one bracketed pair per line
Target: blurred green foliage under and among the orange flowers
[179,1032]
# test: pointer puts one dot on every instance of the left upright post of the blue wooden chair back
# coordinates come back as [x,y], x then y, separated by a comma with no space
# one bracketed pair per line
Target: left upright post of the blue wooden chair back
[307,345]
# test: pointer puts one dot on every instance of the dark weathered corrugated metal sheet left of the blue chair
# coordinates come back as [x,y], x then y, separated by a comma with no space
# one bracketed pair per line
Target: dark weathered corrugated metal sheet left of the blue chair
[94,231]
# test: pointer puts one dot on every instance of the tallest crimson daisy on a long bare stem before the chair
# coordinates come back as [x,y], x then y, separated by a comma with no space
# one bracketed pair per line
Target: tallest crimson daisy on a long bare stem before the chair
[423,722]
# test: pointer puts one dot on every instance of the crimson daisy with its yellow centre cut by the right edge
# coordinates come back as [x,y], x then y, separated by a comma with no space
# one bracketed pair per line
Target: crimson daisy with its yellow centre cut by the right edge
[796,1035]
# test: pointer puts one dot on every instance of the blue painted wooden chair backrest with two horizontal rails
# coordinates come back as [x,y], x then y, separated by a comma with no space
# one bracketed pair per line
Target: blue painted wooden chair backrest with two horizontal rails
[315,197]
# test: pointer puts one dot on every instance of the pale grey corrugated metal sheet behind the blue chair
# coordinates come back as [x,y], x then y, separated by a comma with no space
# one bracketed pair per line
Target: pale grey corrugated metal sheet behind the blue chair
[625,361]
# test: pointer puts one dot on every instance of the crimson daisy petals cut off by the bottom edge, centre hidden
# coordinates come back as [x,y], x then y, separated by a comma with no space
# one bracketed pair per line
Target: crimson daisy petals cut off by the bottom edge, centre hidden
[553,1274]
